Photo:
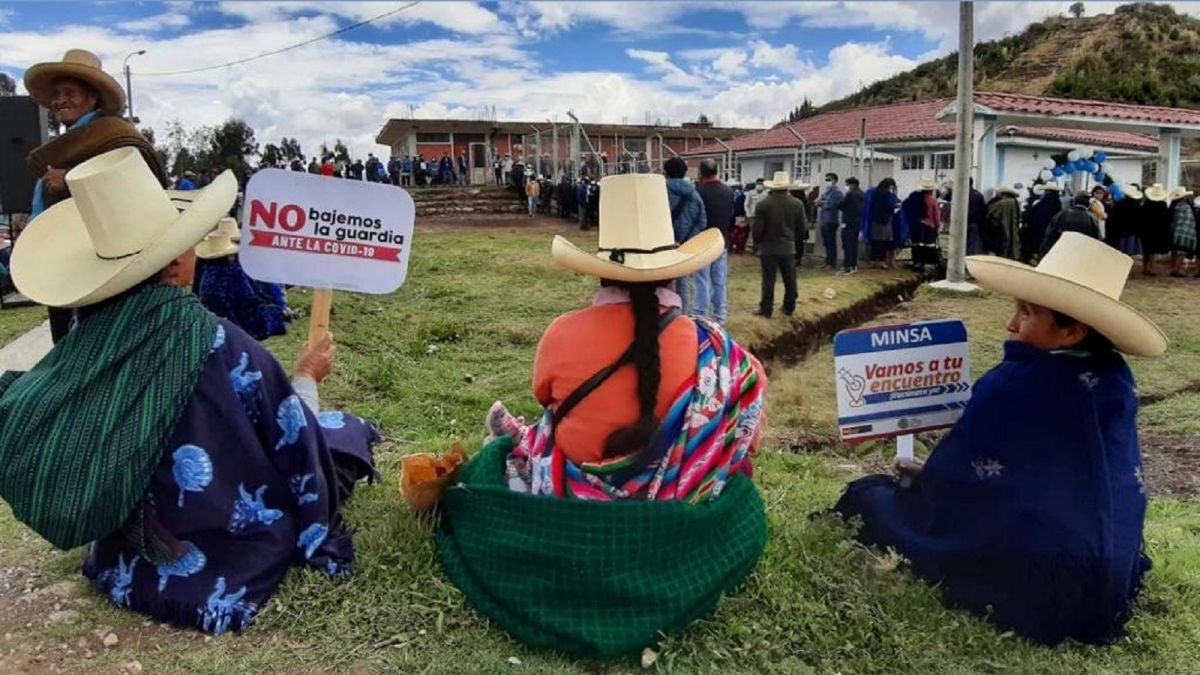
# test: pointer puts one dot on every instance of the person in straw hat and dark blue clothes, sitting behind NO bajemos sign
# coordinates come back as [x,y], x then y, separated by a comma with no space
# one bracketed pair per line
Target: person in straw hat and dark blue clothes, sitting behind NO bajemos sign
[229,292]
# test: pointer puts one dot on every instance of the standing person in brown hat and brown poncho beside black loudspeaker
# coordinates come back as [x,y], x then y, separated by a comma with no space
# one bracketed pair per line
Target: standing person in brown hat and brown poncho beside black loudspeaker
[89,103]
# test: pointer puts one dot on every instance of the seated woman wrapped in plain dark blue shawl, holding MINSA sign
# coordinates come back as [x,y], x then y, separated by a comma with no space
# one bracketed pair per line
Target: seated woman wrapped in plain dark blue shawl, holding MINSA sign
[1031,511]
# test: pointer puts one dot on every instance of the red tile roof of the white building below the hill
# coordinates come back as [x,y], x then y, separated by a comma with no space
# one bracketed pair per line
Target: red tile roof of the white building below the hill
[917,121]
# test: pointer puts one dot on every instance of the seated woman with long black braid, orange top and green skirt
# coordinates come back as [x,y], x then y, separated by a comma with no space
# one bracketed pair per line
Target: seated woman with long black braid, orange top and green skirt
[643,407]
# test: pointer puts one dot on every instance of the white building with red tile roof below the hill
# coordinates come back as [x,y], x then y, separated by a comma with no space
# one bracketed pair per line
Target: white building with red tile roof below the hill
[1015,138]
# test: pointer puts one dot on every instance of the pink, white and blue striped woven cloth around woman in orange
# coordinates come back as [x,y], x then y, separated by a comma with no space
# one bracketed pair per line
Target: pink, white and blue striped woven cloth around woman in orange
[710,434]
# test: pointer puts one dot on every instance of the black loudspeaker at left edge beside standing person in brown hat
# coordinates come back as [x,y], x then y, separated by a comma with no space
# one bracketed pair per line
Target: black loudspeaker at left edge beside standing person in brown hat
[22,129]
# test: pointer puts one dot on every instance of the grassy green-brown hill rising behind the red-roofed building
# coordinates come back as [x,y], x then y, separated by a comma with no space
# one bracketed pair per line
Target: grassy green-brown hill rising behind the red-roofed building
[1139,55]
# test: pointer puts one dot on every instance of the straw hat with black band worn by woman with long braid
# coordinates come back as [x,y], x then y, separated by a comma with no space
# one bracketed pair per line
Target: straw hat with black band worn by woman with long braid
[637,238]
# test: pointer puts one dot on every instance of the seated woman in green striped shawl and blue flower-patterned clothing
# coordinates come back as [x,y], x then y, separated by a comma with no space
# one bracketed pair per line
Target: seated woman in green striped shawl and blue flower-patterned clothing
[167,439]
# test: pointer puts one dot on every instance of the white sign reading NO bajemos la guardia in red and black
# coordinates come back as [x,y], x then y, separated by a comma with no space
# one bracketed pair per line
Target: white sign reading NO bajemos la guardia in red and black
[325,232]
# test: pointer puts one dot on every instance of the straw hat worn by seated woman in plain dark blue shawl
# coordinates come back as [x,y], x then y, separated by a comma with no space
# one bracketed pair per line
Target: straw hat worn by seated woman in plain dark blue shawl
[1082,278]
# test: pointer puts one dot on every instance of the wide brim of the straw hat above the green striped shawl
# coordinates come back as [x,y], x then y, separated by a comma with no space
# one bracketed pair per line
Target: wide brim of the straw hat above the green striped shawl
[56,265]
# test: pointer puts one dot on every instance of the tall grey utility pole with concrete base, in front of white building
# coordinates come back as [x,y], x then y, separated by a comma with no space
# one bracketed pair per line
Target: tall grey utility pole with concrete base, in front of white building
[964,152]
